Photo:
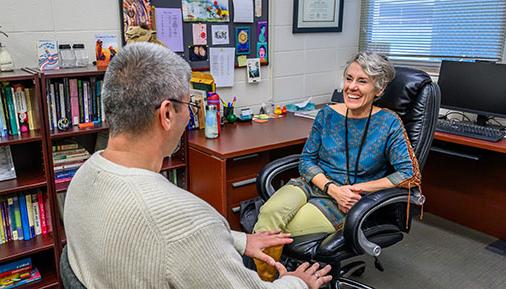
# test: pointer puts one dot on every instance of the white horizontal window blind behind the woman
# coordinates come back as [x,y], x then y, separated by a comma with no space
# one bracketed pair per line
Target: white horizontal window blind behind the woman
[427,31]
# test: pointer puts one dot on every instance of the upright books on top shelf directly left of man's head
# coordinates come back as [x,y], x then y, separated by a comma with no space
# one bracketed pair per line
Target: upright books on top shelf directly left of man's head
[75,101]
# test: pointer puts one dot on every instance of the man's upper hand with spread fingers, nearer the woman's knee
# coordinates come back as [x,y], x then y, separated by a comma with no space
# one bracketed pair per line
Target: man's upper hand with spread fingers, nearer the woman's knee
[256,243]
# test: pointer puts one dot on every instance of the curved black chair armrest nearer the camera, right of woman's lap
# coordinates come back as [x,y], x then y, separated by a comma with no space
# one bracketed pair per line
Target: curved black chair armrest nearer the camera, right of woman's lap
[353,232]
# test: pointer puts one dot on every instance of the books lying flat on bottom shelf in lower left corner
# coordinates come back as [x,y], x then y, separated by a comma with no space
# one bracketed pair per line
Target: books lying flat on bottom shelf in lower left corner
[17,273]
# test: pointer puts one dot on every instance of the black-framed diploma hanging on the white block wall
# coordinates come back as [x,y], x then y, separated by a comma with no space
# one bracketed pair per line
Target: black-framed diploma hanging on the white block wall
[317,16]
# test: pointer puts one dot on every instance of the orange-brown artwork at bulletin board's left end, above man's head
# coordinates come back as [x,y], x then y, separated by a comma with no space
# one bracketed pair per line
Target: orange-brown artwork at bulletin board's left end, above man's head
[136,13]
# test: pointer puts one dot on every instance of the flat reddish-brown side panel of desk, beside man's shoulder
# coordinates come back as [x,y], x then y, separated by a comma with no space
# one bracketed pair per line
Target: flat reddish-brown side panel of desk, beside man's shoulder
[207,175]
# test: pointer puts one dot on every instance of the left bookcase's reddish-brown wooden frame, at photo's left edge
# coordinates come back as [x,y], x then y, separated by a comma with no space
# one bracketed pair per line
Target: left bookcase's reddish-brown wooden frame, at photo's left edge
[30,158]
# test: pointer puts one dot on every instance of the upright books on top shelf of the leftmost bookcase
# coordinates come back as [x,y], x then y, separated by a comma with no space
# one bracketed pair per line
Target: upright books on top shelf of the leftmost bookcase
[18,113]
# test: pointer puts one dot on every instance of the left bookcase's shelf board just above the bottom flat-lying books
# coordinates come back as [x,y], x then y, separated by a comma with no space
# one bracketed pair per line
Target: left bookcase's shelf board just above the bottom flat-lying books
[17,249]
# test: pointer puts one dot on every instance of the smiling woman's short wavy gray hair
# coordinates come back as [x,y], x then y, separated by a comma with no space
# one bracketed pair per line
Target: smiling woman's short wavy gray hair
[376,66]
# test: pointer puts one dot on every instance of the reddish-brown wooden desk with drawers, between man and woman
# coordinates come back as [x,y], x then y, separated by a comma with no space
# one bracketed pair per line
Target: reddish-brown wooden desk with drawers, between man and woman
[222,171]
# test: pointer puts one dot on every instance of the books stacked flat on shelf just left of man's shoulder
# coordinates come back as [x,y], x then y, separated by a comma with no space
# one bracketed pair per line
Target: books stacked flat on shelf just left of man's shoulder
[67,159]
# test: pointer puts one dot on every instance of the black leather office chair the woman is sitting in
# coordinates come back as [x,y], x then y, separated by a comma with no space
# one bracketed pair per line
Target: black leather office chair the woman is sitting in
[378,220]
